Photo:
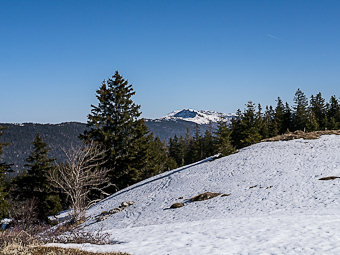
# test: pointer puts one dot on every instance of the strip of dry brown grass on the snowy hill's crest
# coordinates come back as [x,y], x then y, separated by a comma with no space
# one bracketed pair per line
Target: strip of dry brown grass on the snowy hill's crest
[300,134]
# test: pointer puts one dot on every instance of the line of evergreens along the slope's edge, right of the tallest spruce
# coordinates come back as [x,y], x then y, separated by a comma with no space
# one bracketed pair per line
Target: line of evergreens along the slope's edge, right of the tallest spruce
[253,124]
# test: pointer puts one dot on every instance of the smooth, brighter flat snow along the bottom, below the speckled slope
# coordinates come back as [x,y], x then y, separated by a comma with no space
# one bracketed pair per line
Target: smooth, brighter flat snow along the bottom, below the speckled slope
[303,234]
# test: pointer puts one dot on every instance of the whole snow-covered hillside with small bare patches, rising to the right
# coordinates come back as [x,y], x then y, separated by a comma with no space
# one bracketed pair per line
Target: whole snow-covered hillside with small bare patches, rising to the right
[277,205]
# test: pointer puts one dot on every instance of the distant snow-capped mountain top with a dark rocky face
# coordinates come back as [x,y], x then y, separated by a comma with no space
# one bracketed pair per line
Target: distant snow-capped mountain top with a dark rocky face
[199,117]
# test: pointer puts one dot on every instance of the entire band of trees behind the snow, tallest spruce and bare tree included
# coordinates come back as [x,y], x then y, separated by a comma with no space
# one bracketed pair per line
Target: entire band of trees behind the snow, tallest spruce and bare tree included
[118,149]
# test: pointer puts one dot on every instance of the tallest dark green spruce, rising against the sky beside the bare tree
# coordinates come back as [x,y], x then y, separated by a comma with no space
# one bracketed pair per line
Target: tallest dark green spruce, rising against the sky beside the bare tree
[115,125]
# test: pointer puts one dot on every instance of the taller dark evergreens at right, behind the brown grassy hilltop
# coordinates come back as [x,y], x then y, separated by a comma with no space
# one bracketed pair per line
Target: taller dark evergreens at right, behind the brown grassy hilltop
[252,125]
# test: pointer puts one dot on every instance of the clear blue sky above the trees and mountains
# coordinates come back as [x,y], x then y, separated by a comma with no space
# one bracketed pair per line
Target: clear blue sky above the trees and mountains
[210,55]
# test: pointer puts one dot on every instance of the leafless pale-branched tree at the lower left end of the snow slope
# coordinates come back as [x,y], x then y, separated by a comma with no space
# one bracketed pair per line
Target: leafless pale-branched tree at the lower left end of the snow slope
[81,174]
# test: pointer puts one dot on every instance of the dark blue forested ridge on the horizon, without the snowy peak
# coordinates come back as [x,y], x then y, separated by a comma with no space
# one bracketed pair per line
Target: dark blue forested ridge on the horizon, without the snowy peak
[63,135]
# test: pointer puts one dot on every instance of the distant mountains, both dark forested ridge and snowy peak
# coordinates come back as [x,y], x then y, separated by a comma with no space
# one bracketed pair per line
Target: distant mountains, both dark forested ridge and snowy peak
[62,136]
